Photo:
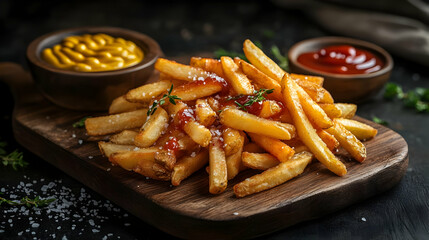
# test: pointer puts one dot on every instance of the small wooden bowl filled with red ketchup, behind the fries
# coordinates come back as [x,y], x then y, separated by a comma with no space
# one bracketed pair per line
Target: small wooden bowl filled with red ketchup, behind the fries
[353,70]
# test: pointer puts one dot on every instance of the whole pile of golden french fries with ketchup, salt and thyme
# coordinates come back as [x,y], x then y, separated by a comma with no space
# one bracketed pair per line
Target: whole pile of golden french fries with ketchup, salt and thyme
[190,119]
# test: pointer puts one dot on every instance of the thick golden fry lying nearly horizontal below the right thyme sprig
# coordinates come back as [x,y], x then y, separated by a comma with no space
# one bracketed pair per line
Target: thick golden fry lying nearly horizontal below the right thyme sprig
[250,123]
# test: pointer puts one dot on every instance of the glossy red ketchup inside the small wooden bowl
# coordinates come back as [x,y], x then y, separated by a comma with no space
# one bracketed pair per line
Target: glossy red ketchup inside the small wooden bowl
[341,59]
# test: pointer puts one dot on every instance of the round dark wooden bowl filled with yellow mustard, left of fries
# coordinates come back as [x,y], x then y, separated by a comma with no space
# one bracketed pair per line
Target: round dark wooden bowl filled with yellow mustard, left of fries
[86,68]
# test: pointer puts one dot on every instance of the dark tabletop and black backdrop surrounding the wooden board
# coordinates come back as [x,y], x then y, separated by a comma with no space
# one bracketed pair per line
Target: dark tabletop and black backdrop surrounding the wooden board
[400,213]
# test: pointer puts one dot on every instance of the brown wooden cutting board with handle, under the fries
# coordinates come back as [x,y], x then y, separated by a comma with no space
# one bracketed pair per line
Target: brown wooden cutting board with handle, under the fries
[189,210]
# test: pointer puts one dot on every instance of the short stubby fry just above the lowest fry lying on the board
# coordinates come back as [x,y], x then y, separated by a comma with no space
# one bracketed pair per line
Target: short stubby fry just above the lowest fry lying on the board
[259,161]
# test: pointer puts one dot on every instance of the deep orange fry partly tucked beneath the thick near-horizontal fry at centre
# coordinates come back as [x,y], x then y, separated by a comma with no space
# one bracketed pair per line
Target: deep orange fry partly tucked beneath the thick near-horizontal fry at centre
[274,146]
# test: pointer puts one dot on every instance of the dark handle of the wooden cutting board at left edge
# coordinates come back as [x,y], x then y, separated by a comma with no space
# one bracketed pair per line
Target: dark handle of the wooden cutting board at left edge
[18,79]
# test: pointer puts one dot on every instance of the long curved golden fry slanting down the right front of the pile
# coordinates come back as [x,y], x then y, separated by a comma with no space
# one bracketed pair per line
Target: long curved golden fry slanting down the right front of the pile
[306,132]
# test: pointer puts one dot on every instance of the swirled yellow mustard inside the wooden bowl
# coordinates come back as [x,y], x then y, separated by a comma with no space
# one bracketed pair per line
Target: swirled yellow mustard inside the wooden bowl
[93,53]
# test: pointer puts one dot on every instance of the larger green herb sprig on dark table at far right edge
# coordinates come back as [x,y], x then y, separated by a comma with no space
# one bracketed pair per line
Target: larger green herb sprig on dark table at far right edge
[417,98]
